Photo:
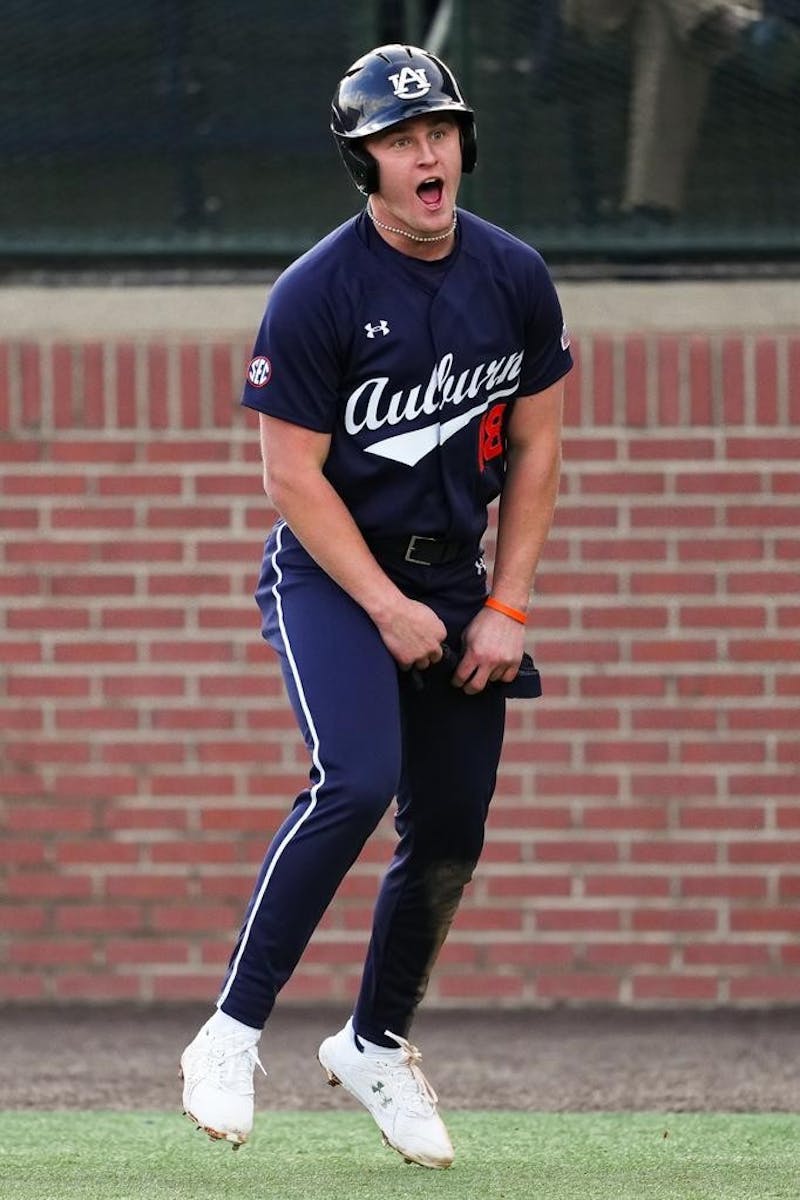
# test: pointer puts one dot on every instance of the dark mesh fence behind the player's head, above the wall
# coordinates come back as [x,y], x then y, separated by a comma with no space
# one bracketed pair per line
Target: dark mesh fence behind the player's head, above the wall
[182,130]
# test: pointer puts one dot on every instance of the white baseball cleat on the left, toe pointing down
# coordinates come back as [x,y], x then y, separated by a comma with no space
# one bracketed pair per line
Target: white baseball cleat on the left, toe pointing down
[219,1096]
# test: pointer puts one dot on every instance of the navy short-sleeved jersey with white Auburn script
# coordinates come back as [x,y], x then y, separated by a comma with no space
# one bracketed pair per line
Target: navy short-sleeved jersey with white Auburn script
[411,368]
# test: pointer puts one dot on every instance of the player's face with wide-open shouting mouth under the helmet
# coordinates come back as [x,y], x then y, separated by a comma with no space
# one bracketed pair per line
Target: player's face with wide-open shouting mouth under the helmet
[419,170]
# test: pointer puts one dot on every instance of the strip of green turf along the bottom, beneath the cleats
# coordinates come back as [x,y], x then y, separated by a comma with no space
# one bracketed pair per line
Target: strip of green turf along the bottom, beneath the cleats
[339,1156]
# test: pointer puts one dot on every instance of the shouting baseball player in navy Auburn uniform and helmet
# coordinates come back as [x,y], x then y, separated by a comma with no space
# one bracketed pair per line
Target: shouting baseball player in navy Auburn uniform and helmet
[408,371]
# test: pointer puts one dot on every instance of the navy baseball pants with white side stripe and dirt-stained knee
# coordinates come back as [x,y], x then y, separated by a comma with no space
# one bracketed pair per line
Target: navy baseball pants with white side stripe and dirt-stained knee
[375,734]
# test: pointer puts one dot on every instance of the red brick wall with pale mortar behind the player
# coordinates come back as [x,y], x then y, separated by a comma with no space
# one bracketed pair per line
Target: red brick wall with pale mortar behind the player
[645,843]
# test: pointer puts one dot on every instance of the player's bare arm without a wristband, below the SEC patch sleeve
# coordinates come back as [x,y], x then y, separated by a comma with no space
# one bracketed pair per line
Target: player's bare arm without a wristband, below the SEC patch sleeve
[294,482]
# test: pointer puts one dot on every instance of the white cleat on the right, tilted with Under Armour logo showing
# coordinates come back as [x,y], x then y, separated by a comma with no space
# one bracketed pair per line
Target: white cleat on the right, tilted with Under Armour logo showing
[395,1093]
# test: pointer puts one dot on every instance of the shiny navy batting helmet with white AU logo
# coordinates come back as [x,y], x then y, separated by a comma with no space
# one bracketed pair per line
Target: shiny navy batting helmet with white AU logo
[388,86]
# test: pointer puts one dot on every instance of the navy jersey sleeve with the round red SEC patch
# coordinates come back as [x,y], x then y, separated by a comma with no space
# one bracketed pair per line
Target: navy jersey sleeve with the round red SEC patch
[296,365]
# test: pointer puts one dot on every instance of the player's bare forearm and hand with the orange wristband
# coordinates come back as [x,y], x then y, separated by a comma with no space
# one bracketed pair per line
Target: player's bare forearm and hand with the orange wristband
[494,643]
